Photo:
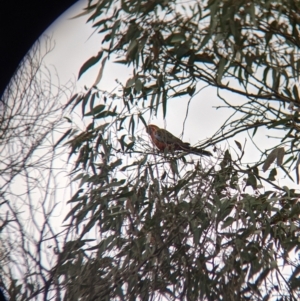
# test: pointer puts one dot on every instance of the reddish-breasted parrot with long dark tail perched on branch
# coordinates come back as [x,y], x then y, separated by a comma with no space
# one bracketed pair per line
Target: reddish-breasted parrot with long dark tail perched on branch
[164,140]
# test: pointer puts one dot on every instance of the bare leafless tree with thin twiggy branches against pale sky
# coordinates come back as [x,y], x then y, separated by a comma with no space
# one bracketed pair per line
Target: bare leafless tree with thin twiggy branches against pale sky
[31,120]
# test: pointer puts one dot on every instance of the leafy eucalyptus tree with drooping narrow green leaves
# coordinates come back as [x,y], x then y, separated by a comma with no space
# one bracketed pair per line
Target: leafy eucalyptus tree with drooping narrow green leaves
[171,226]
